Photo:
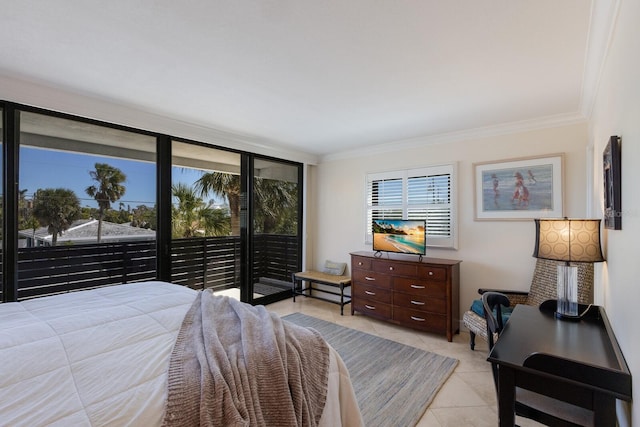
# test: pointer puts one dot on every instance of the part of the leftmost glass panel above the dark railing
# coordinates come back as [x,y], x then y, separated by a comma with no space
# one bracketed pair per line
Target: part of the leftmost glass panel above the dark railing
[83,183]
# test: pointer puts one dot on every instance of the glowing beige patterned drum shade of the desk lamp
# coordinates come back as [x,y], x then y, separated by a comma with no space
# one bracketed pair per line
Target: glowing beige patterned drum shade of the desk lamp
[570,240]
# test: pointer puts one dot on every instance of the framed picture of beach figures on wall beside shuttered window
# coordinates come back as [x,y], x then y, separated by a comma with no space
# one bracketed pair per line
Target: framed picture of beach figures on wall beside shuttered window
[519,189]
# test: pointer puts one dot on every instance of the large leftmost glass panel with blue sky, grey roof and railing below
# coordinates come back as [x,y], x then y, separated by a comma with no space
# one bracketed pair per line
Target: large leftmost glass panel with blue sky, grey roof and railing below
[86,205]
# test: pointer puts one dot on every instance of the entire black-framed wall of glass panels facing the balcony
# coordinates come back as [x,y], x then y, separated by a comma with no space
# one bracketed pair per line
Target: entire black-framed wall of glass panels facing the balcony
[83,211]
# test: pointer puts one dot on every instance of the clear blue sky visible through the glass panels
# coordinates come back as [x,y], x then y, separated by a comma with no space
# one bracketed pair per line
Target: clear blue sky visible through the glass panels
[41,169]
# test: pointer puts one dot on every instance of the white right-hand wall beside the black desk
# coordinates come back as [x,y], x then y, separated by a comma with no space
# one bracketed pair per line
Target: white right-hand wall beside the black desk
[617,112]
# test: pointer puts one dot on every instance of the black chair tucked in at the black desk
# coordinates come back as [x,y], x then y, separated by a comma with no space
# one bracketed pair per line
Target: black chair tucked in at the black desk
[529,404]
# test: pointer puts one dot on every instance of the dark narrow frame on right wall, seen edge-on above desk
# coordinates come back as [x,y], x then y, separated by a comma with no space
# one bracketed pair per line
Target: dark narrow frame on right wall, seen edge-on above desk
[611,164]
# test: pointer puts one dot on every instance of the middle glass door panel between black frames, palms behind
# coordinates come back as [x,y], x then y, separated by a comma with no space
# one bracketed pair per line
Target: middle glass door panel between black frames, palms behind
[205,218]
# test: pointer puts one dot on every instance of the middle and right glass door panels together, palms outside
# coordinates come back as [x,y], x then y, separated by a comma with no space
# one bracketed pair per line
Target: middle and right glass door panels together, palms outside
[223,240]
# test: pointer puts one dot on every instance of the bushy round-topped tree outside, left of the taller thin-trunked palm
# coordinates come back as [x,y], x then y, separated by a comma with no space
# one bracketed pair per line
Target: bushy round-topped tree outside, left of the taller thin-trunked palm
[56,209]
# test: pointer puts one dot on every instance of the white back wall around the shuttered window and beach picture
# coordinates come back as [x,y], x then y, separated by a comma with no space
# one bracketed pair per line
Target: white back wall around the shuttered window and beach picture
[494,254]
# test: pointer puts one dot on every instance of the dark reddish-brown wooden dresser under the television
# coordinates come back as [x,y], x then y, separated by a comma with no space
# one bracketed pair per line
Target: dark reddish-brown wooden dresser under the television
[403,289]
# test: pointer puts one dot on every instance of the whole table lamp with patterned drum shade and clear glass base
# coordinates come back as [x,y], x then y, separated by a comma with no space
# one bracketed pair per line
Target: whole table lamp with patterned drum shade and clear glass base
[571,241]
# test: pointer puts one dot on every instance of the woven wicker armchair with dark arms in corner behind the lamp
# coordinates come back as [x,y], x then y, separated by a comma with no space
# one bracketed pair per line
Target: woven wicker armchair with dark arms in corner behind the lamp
[543,287]
